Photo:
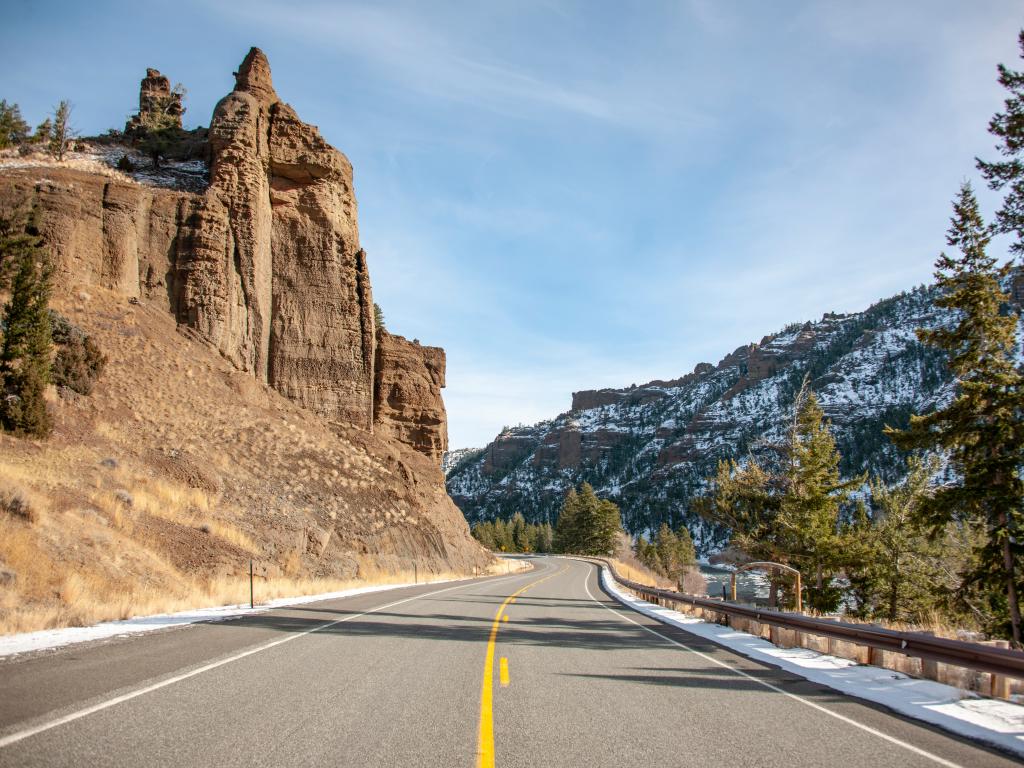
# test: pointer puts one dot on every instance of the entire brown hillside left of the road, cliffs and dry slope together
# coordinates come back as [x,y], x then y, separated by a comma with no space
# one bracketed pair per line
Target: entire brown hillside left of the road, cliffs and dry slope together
[246,372]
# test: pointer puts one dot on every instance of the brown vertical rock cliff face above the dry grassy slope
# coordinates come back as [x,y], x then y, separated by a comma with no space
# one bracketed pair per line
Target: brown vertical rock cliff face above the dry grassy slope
[266,266]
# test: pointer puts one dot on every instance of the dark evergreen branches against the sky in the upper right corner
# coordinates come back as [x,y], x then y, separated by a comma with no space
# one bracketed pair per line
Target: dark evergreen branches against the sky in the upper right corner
[1008,175]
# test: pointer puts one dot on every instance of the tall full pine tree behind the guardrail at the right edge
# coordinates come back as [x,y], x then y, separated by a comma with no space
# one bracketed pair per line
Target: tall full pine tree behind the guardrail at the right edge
[983,431]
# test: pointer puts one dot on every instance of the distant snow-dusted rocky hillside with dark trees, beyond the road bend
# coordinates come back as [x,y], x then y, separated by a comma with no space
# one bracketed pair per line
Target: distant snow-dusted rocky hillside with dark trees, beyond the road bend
[651,448]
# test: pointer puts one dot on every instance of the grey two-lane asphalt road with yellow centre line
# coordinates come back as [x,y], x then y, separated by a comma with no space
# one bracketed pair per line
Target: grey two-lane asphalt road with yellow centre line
[416,677]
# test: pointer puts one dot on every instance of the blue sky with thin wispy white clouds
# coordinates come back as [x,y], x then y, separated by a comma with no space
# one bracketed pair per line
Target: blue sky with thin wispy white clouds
[580,195]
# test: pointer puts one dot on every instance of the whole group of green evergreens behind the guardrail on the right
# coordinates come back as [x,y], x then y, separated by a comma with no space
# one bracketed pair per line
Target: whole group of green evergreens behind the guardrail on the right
[948,539]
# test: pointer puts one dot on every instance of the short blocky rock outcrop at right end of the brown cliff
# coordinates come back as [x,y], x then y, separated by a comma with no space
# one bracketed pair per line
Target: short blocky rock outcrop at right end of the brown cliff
[409,381]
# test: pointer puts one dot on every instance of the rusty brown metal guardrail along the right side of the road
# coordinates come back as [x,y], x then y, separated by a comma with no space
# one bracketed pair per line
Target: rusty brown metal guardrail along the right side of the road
[1002,662]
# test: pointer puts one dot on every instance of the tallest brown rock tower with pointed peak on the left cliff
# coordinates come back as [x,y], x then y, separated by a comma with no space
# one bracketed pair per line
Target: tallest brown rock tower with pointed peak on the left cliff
[280,283]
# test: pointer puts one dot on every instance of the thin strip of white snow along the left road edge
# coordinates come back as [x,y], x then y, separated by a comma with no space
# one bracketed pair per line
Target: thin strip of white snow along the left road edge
[47,639]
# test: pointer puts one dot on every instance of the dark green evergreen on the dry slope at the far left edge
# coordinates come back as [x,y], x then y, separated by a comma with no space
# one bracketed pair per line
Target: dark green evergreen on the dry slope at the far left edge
[27,349]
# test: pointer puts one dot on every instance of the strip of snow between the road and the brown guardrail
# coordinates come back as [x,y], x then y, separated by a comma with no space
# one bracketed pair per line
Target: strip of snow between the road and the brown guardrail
[990,720]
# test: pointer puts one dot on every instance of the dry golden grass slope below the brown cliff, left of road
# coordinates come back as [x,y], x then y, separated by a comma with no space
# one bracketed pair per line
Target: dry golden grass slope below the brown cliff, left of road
[155,492]
